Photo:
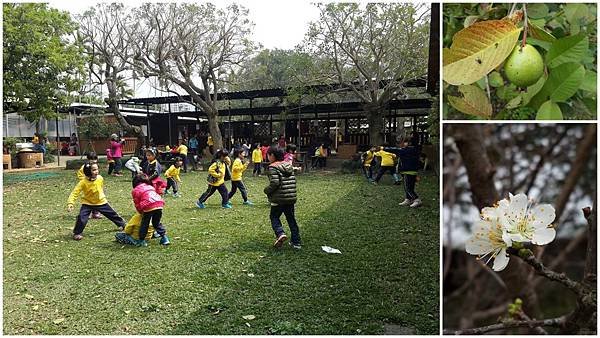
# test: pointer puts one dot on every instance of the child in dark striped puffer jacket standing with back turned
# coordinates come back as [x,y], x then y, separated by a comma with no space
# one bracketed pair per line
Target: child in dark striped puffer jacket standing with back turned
[281,192]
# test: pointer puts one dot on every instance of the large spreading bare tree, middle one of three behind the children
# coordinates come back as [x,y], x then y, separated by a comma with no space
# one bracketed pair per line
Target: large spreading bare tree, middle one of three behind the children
[193,46]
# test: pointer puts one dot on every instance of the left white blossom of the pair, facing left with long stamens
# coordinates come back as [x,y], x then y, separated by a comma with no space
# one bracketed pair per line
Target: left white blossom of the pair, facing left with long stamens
[490,240]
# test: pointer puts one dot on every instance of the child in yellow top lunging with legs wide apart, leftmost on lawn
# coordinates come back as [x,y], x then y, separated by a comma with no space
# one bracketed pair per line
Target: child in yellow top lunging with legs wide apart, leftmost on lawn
[93,200]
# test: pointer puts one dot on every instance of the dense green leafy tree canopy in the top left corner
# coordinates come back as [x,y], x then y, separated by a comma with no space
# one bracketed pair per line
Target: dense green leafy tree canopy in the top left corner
[42,66]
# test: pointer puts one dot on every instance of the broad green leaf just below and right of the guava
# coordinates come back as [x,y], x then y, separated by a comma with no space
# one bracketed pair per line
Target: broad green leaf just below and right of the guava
[563,82]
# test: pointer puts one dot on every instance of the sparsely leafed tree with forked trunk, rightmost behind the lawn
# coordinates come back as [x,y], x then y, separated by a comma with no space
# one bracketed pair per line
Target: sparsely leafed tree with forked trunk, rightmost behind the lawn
[374,51]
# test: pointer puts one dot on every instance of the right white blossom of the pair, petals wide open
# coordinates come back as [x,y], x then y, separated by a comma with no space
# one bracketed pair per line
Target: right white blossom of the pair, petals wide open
[526,223]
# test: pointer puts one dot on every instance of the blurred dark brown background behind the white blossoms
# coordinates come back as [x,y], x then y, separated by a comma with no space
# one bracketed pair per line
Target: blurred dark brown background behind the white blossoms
[551,163]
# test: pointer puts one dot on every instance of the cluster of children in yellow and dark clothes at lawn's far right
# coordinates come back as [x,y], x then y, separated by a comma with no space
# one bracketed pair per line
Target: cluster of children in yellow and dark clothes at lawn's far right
[407,156]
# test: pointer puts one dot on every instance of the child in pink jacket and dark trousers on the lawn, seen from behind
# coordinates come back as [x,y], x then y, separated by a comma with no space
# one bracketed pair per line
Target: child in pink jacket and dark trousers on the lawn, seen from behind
[148,203]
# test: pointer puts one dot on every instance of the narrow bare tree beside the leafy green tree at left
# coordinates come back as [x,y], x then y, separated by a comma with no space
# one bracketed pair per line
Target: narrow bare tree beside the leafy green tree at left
[102,30]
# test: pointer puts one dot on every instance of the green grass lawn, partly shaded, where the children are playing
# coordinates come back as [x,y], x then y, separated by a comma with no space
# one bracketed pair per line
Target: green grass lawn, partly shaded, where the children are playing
[221,265]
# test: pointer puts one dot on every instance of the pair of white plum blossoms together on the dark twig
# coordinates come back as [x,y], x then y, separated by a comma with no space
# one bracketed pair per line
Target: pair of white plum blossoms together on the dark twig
[510,220]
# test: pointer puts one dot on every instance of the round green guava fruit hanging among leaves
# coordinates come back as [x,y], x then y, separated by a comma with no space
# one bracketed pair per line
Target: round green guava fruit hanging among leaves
[524,66]
